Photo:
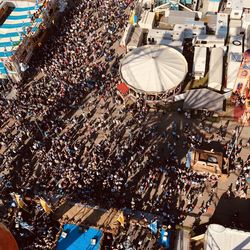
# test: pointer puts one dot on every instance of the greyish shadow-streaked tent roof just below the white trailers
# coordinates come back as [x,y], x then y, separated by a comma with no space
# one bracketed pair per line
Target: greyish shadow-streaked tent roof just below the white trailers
[203,99]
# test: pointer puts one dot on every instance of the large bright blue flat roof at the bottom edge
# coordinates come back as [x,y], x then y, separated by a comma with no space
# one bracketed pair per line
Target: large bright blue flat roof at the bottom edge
[79,240]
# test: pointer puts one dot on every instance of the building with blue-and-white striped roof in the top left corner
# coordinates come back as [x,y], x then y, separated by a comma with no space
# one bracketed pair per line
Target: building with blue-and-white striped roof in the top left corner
[24,28]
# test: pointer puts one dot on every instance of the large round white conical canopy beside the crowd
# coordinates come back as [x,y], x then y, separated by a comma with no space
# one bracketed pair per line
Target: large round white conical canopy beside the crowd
[154,68]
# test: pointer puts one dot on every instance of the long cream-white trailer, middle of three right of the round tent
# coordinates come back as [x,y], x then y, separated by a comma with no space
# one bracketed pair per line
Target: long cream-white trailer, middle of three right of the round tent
[215,77]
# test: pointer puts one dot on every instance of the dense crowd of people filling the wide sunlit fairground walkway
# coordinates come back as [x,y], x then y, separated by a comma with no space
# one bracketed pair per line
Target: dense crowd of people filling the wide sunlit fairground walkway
[67,135]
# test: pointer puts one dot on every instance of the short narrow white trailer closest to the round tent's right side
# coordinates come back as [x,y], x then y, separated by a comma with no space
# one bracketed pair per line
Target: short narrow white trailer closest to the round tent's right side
[199,62]
